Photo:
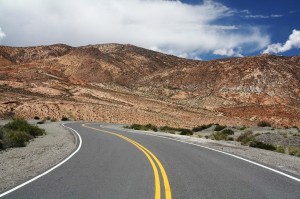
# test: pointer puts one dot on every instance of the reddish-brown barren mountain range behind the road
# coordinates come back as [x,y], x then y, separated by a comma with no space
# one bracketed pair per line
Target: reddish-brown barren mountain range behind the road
[127,84]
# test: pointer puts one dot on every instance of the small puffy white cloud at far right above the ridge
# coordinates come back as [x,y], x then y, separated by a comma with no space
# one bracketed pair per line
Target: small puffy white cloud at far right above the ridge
[292,42]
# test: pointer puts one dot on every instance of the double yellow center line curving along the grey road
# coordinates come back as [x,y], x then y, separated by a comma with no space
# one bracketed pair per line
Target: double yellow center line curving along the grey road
[152,159]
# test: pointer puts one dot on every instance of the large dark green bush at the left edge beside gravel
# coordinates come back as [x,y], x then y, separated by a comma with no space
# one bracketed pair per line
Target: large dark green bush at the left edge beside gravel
[17,133]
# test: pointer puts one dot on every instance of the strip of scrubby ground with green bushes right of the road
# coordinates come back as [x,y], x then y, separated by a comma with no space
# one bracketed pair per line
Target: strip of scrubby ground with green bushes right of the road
[262,138]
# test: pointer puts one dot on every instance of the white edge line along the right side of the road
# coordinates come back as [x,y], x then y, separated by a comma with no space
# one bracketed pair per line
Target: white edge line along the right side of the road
[235,156]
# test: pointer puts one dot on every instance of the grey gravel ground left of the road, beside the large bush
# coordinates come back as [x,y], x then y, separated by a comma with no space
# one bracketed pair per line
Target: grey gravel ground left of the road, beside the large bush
[19,164]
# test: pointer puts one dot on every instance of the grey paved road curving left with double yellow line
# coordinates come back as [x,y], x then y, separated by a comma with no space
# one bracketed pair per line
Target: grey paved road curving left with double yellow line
[117,164]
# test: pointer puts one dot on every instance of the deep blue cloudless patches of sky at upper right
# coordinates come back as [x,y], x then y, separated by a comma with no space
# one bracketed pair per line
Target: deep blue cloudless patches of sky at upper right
[286,17]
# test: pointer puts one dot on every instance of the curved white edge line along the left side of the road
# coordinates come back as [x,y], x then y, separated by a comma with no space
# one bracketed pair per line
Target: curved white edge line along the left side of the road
[48,171]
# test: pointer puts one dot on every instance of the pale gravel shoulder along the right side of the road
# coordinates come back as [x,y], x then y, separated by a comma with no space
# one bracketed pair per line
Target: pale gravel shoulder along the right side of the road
[281,161]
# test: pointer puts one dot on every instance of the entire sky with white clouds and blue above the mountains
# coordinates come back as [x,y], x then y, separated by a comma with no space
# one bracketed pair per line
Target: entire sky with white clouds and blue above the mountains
[195,29]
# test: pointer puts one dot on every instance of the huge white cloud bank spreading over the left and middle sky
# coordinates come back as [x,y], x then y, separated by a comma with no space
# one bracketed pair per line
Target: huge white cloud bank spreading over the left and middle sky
[171,26]
